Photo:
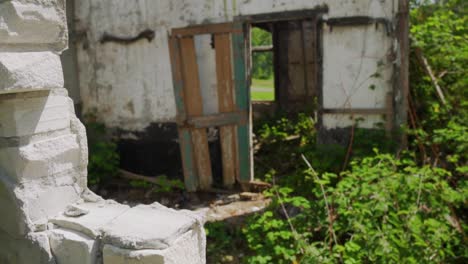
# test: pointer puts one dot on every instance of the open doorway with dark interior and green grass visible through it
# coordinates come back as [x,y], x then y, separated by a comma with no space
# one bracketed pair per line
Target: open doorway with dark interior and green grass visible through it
[285,63]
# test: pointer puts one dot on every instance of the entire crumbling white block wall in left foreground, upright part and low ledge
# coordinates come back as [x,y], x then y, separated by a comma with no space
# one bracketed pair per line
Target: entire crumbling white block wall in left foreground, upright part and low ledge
[48,214]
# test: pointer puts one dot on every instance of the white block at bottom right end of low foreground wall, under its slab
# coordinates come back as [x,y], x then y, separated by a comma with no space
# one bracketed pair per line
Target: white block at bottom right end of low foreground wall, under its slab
[186,249]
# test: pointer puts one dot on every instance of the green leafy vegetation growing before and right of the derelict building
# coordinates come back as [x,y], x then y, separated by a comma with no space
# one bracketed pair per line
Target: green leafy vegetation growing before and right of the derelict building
[385,206]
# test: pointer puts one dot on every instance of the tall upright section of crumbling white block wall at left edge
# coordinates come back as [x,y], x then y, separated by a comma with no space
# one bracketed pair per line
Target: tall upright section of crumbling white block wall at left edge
[43,151]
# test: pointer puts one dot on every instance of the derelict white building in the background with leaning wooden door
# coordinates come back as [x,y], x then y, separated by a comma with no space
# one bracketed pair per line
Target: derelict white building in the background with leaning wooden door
[158,74]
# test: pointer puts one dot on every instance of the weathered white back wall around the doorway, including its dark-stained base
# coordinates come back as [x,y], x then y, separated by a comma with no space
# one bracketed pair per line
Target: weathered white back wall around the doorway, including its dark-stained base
[129,86]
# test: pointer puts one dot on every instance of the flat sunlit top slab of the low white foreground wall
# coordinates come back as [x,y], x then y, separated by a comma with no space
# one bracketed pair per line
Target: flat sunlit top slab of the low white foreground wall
[135,228]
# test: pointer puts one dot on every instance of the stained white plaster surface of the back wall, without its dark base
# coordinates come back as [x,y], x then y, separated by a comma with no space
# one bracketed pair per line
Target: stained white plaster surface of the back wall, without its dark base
[131,85]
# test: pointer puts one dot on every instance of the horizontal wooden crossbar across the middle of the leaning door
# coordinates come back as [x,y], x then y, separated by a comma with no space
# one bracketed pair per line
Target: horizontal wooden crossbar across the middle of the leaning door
[216,120]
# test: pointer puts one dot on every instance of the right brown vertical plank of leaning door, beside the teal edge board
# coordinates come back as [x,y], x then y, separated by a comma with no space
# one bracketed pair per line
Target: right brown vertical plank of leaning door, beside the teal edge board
[226,105]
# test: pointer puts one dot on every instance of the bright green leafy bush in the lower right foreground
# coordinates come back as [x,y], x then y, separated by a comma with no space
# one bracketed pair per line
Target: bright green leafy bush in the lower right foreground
[383,210]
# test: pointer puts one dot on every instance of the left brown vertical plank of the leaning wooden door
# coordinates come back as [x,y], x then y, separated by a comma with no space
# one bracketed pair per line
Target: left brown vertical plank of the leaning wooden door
[194,107]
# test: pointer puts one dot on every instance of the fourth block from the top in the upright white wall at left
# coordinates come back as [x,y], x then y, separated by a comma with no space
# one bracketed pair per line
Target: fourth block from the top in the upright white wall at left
[40,159]
